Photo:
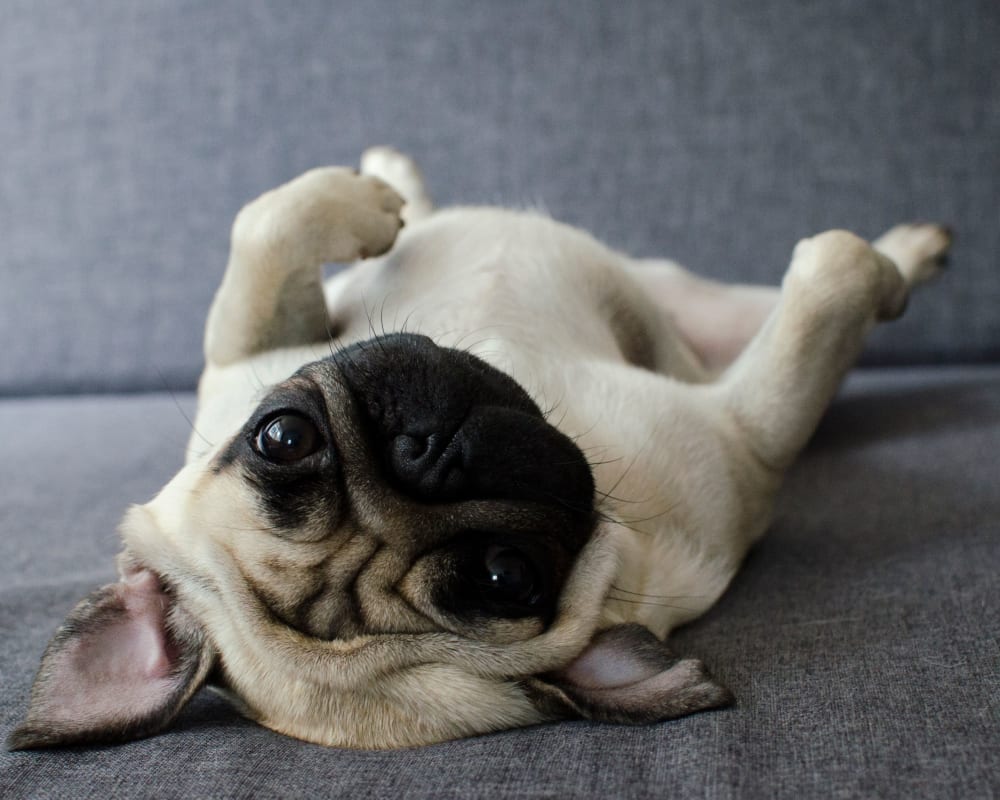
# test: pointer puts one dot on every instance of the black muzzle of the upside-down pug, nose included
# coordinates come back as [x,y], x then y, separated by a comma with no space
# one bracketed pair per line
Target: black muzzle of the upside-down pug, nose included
[444,426]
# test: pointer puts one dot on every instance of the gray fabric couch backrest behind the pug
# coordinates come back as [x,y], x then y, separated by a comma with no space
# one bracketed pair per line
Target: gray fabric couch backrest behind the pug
[715,132]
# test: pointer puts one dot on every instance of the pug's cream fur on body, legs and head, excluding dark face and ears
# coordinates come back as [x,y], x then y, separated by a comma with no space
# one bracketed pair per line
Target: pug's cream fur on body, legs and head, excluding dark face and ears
[687,454]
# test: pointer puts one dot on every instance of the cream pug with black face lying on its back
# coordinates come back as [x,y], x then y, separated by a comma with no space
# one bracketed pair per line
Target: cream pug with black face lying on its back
[442,494]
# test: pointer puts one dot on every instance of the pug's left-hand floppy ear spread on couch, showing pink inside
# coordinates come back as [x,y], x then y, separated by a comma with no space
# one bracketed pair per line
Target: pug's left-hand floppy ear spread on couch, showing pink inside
[121,667]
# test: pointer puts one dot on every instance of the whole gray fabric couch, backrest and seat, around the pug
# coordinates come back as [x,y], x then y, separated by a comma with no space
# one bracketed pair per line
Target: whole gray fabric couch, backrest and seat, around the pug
[862,638]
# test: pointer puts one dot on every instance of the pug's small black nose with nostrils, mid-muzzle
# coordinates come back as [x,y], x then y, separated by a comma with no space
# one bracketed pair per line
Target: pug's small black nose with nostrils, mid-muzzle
[430,466]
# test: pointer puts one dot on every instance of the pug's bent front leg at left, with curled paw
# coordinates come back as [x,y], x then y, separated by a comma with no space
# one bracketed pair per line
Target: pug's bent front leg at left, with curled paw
[271,294]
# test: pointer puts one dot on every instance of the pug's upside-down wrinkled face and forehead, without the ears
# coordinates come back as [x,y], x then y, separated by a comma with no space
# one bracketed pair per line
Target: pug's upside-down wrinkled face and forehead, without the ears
[397,490]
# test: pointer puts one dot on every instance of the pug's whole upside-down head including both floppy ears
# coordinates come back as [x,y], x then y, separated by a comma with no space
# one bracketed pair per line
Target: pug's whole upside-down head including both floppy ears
[396,549]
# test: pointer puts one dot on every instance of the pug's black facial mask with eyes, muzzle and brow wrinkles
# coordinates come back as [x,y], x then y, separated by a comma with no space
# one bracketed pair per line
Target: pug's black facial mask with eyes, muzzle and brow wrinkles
[400,487]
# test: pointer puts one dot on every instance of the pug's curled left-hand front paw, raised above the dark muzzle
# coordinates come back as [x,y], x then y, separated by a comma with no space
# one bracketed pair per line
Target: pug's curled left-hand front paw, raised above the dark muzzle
[330,214]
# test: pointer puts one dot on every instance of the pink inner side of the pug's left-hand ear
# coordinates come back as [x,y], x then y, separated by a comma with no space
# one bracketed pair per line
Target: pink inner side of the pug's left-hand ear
[120,665]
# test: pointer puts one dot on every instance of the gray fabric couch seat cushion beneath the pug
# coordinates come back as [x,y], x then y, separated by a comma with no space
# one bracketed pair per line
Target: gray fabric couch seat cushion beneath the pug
[860,639]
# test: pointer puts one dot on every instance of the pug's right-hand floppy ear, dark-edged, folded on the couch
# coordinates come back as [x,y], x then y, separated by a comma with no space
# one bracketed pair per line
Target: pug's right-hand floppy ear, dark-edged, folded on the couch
[627,675]
